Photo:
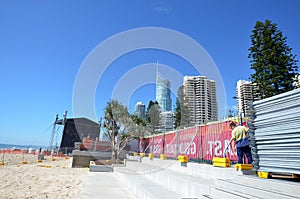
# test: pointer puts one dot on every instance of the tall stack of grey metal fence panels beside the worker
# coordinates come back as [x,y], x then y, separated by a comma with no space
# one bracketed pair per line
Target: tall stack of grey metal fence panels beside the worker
[276,132]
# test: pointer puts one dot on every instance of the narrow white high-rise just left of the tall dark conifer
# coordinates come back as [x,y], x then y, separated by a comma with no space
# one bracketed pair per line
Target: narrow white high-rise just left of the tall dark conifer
[244,96]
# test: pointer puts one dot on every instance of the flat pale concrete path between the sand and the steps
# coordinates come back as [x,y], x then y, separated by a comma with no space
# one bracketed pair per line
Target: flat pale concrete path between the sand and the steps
[105,185]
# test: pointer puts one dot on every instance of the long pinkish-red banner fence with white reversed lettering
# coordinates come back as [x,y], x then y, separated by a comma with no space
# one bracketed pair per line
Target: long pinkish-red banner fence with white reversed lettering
[199,143]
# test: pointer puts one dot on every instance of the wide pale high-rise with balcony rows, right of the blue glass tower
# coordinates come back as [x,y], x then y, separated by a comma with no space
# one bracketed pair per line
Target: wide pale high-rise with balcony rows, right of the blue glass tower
[200,99]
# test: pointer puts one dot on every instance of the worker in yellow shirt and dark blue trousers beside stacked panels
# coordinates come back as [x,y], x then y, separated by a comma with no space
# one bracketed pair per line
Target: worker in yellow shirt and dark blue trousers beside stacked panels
[239,135]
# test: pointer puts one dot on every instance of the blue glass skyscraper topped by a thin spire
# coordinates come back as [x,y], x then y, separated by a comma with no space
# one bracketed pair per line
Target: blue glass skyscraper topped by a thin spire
[163,94]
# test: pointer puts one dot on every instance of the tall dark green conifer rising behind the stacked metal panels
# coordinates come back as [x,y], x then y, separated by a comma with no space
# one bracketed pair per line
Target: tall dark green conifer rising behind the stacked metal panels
[272,61]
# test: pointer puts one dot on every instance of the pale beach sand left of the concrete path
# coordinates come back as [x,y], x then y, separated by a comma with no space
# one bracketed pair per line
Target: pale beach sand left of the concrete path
[47,179]
